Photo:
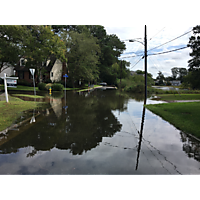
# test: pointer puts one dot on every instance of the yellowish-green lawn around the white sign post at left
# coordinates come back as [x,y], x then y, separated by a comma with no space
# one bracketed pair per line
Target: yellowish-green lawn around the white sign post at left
[11,111]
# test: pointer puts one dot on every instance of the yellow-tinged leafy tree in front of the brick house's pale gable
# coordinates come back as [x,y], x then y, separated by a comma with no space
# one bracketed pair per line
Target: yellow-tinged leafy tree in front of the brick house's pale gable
[40,43]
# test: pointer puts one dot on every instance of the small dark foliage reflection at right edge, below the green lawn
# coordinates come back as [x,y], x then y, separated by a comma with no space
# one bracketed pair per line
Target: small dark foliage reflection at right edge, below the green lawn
[190,146]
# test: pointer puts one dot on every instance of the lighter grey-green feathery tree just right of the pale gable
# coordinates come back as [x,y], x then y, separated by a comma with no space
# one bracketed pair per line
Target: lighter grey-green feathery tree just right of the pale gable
[82,55]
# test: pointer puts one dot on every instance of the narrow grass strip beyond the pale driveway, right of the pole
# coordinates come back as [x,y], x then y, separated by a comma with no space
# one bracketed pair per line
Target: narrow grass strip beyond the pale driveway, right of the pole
[171,97]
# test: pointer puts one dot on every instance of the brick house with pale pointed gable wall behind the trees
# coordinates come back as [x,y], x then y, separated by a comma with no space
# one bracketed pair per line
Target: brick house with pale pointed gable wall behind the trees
[54,70]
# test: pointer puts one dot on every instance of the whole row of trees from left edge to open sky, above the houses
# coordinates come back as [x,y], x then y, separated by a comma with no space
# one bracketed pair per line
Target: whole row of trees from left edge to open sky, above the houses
[90,53]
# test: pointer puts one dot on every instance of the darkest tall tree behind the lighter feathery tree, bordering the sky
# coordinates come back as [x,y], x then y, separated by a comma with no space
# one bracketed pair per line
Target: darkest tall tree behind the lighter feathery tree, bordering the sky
[110,46]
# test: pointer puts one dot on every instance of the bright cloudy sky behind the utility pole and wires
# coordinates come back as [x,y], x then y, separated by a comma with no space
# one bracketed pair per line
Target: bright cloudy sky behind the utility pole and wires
[156,35]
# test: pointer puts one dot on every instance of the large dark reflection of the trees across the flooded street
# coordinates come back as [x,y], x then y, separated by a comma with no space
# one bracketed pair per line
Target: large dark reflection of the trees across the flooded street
[88,119]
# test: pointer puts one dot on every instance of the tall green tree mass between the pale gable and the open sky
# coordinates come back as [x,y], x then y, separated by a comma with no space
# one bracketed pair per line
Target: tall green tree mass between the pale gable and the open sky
[92,54]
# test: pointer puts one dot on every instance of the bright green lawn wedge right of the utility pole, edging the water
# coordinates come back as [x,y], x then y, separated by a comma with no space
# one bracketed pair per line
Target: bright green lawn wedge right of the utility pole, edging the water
[184,116]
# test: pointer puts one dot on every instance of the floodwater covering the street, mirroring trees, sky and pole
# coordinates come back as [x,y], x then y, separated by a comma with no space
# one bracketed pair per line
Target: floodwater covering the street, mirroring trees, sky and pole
[101,132]
